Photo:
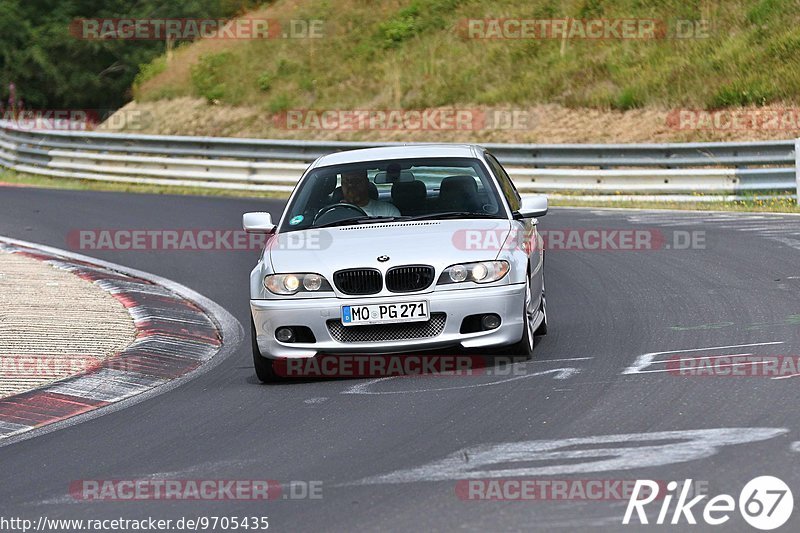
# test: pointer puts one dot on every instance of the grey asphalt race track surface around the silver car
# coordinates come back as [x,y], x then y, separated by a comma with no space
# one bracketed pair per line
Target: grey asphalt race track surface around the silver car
[379,456]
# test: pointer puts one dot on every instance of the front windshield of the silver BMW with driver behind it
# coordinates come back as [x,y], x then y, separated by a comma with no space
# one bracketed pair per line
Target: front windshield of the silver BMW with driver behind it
[398,189]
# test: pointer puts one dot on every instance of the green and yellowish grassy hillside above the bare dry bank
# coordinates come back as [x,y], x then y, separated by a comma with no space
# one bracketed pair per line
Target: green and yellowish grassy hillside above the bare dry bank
[416,54]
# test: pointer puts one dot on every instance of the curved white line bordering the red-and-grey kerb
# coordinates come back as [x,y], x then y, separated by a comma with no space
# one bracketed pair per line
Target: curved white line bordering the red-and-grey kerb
[232,335]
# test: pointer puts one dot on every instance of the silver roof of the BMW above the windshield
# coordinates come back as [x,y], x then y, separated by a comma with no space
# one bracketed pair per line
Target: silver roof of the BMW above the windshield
[404,151]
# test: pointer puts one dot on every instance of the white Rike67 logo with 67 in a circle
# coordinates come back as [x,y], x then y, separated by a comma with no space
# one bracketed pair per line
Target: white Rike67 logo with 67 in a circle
[765,503]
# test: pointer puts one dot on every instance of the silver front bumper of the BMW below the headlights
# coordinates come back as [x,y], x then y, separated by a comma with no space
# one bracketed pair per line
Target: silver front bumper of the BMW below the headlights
[506,301]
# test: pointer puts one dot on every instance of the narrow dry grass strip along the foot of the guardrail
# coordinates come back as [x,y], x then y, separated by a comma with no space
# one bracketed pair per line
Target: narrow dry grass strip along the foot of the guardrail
[776,205]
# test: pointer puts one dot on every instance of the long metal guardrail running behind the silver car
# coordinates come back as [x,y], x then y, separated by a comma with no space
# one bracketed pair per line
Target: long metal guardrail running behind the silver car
[275,165]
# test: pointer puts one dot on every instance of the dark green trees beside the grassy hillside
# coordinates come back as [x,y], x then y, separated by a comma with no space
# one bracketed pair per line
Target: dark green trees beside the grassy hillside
[54,69]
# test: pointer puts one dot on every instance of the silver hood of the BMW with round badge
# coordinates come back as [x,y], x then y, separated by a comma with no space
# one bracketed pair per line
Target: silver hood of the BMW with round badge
[437,243]
